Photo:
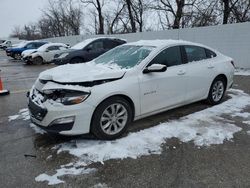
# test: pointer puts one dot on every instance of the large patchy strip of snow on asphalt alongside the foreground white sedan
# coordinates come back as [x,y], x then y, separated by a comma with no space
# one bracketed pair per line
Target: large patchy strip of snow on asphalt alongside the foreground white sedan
[203,128]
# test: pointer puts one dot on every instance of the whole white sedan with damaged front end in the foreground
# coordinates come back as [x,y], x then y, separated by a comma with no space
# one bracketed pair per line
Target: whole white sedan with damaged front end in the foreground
[128,83]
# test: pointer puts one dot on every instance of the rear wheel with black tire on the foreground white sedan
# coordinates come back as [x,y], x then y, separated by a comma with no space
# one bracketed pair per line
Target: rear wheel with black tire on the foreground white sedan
[220,84]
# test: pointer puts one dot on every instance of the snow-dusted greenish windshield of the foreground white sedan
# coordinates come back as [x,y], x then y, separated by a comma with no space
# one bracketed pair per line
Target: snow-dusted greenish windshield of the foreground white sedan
[126,56]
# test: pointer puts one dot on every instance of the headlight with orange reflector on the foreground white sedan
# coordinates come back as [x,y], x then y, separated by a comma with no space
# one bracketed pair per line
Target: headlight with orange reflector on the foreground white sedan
[67,97]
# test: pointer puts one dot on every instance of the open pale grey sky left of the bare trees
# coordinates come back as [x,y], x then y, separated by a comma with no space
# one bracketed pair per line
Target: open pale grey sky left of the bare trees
[18,13]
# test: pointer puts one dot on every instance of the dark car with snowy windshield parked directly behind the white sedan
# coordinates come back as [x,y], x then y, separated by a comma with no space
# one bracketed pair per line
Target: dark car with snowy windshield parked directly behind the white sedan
[87,50]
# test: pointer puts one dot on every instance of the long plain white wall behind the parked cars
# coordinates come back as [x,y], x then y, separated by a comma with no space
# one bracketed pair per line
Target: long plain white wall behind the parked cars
[232,39]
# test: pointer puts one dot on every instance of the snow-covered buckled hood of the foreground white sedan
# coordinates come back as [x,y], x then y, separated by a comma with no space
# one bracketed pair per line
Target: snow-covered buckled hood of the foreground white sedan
[83,72]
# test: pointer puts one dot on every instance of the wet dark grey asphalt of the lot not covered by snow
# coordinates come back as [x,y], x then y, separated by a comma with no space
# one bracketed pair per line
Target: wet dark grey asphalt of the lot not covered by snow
[181,165]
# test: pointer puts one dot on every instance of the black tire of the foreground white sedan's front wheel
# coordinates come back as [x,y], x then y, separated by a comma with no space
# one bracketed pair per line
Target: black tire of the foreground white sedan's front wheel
[96,127]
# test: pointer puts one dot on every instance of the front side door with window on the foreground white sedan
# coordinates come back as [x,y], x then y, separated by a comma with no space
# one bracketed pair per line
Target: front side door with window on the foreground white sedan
[159,90]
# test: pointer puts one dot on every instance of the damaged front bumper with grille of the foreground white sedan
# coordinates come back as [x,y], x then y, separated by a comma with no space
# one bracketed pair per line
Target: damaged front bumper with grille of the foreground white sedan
[58,118]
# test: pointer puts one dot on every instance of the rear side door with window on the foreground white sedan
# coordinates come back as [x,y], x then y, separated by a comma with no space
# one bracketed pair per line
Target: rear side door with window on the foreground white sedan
[200,72]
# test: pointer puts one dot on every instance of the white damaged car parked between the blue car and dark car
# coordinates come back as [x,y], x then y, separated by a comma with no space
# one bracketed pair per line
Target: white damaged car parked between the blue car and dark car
[45,54]
